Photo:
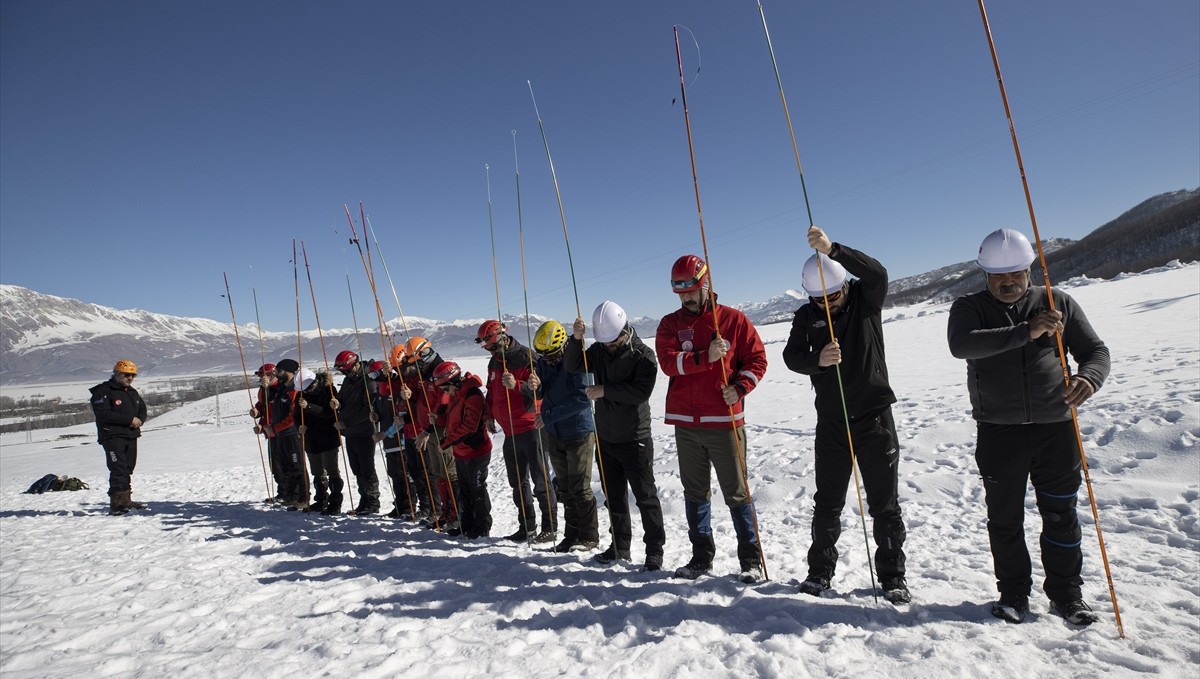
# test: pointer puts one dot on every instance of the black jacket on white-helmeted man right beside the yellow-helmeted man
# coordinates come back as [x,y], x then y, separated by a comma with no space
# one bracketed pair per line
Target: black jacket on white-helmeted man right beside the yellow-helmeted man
[623,416]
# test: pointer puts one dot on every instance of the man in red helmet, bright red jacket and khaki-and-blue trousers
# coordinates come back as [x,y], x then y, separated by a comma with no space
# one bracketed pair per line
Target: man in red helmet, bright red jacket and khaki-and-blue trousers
[715,358]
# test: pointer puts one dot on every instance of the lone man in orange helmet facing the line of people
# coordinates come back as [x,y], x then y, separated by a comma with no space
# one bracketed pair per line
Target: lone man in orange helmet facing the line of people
[121,414]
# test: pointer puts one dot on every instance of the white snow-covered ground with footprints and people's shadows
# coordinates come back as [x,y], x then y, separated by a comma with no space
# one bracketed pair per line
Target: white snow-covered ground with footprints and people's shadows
[213,584]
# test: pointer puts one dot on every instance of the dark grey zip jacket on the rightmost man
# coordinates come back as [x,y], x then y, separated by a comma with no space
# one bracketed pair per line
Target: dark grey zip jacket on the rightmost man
[1013,380]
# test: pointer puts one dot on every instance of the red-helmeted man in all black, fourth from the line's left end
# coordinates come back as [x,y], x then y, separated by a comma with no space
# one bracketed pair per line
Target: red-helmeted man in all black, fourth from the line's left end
[357,423]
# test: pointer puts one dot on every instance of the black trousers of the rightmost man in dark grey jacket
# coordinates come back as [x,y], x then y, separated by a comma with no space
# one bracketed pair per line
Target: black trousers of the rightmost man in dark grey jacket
[1010,456]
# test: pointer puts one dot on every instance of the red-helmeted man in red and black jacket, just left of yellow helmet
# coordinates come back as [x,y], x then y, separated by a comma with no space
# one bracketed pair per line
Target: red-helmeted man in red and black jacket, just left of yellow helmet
[514,411]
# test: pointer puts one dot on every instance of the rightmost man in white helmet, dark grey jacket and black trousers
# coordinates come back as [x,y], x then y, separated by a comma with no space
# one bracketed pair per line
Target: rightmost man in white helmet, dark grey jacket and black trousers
[1023,408]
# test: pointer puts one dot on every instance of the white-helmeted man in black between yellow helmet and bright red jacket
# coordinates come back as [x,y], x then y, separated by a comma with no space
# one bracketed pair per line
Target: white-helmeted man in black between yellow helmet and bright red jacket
[623,372]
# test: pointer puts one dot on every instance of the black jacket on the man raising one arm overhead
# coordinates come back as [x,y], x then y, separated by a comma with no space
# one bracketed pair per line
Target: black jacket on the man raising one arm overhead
[860,331]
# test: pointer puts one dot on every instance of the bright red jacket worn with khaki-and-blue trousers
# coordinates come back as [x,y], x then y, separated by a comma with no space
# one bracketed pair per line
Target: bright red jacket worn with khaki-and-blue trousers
[694,394]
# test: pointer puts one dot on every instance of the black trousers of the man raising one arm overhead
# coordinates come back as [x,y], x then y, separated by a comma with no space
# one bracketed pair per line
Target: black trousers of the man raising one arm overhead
[878,453]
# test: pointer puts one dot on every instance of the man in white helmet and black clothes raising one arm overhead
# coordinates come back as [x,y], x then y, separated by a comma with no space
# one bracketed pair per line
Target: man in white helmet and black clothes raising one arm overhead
[853,366]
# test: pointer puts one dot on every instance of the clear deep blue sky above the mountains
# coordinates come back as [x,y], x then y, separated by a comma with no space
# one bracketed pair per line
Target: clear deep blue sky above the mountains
[147,147]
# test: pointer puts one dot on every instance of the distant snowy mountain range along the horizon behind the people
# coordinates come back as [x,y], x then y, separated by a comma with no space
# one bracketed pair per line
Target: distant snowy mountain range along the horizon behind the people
[52,339]
